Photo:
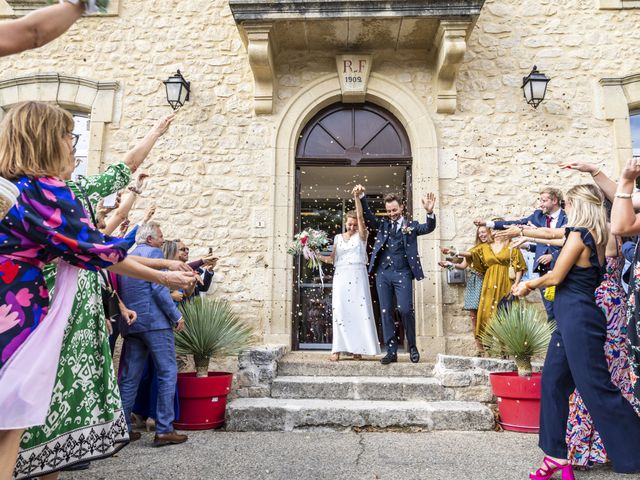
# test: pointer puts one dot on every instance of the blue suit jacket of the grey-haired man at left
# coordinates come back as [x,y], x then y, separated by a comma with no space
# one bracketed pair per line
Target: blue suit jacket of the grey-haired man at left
[151,301]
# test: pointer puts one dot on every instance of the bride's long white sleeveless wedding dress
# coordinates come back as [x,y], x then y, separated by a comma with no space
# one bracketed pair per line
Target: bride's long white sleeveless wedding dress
[354,328]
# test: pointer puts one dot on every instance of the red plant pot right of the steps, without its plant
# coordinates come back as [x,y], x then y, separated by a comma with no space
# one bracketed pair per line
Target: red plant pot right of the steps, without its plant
[518,401]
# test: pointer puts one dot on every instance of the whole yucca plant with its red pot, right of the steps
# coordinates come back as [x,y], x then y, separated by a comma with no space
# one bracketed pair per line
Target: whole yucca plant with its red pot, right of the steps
[520,331]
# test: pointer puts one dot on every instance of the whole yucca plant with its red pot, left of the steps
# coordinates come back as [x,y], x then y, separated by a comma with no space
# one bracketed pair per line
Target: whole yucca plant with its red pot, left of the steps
[211,329]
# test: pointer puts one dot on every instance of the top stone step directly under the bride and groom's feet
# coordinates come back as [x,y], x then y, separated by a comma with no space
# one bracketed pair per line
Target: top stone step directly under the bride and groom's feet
[369,367]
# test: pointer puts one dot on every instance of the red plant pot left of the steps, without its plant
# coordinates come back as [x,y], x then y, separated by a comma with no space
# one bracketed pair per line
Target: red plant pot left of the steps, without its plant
[202,400]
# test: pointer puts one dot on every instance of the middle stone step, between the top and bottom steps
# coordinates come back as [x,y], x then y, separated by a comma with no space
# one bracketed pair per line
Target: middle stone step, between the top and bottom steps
[360,388]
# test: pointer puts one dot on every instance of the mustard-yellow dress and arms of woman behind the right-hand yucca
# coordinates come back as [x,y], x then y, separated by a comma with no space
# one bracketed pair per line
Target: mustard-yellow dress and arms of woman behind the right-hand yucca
[493,259]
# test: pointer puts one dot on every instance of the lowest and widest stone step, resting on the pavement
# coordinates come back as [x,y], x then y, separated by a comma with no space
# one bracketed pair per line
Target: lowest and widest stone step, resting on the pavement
[285,414]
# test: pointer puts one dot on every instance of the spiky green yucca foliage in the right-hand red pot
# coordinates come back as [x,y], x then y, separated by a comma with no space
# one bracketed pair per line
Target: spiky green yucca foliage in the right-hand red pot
[520,331]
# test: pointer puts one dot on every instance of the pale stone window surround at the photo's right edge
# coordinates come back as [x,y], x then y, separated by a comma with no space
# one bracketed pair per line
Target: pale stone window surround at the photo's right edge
[619,97]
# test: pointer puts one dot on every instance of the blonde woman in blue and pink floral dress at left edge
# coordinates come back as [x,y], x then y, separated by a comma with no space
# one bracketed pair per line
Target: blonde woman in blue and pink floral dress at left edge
[47,223]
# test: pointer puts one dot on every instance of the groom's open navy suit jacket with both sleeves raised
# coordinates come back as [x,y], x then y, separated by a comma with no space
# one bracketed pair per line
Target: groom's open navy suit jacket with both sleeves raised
[410,240]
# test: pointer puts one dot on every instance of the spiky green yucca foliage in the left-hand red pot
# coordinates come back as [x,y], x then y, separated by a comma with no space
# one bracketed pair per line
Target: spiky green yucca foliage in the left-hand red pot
[212,329]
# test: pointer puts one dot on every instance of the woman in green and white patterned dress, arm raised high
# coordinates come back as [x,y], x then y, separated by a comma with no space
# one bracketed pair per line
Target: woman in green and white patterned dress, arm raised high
[85,420]
